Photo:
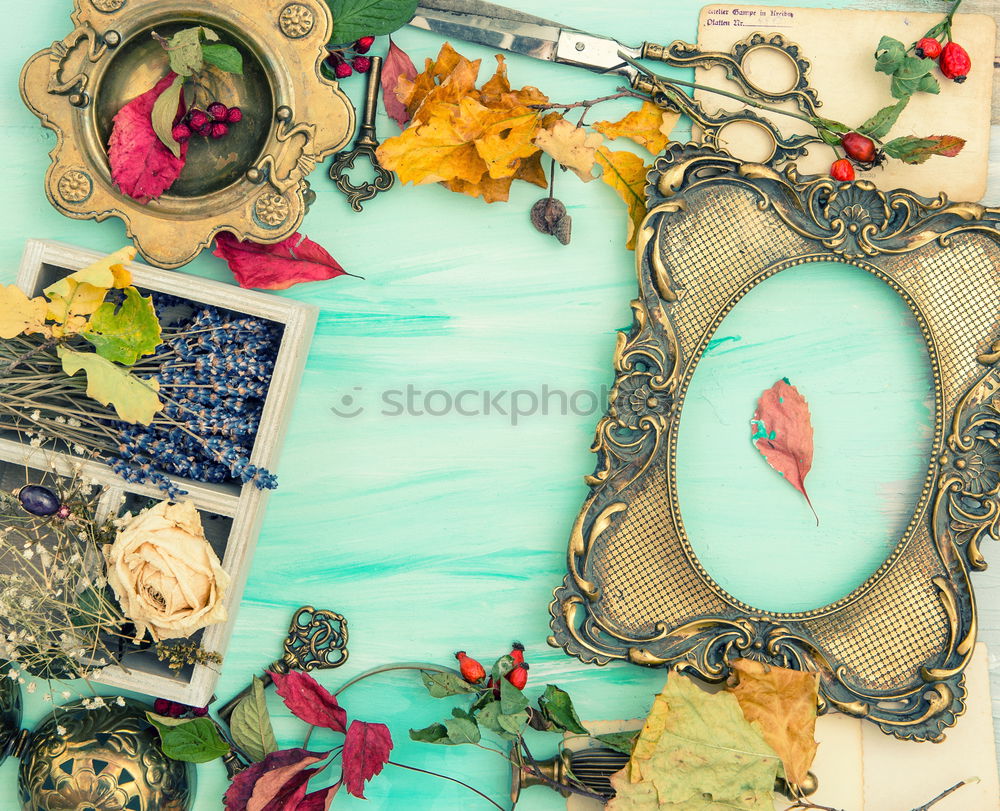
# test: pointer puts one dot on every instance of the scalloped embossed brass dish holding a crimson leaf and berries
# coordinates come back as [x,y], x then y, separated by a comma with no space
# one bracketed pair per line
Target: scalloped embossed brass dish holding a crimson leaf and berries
[253,182]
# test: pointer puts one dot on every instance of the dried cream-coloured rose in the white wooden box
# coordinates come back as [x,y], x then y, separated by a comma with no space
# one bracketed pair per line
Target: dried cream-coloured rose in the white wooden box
[165,574]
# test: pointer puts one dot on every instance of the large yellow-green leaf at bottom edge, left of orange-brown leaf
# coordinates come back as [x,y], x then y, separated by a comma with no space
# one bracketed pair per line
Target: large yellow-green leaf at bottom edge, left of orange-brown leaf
[696,752]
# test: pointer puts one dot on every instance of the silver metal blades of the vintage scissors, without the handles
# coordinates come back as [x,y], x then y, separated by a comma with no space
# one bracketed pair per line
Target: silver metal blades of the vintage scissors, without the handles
[500,27]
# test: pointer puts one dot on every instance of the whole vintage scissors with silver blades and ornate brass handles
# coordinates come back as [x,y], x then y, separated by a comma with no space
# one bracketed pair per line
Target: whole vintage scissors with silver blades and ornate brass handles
[510,30]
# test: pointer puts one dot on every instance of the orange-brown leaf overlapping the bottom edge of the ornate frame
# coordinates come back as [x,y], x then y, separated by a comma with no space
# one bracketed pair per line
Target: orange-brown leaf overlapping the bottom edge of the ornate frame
[783,702]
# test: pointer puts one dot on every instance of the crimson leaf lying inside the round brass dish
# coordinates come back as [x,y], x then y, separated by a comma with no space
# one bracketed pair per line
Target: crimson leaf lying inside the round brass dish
[141,166]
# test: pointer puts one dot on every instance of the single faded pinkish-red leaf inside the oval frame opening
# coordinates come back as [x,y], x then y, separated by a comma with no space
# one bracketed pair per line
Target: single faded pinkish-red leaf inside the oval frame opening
[782,432]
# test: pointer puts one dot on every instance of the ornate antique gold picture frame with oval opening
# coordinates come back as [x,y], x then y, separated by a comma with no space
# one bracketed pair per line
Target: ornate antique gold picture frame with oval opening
[893,650]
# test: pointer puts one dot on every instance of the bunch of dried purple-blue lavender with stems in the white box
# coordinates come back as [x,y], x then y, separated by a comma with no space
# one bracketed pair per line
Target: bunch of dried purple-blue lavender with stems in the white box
[213,368]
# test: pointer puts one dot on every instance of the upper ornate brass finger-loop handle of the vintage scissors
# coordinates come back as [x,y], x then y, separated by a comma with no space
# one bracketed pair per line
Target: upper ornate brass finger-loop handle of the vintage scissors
[684,55]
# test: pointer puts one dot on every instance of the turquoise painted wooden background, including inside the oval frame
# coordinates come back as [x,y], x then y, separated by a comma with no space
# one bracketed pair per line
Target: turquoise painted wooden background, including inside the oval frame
[434,533]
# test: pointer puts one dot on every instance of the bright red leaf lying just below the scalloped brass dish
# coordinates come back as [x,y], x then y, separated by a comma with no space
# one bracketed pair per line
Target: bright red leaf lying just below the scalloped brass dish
[275,267]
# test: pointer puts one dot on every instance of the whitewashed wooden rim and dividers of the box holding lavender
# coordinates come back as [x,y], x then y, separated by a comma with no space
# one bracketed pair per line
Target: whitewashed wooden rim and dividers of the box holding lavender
[231,513]
